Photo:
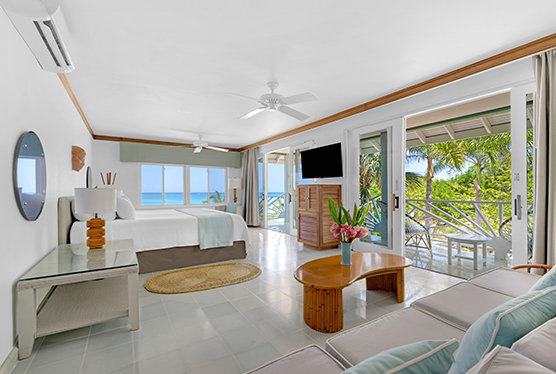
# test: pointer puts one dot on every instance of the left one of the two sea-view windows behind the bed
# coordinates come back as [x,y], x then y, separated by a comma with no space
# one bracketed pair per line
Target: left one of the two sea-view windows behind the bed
[161,185]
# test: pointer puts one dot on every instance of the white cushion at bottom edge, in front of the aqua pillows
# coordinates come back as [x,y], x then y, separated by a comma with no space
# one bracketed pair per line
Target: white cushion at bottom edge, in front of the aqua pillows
[502,360]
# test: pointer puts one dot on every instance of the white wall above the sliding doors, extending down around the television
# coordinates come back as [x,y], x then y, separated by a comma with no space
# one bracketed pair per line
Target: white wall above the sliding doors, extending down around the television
[494,80]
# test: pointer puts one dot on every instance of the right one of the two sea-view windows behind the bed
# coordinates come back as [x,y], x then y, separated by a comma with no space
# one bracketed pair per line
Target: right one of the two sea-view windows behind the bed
[207,185]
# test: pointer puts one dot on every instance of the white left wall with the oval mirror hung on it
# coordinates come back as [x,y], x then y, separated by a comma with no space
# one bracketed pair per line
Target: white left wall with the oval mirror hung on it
[31,99]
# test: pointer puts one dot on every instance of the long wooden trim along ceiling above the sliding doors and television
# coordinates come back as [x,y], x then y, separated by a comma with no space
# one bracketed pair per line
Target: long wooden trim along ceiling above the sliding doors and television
[514,54]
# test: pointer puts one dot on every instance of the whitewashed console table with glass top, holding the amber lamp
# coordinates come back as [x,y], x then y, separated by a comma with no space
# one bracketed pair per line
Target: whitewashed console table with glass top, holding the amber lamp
[87,287]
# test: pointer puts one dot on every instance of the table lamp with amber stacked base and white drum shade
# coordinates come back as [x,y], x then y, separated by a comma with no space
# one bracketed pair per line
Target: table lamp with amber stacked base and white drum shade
[95,200]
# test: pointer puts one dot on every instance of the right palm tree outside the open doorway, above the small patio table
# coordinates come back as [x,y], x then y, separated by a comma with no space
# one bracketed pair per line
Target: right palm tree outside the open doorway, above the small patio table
[485,153]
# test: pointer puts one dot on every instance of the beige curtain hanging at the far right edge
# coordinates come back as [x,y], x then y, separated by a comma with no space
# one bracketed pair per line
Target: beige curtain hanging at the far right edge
[544,234]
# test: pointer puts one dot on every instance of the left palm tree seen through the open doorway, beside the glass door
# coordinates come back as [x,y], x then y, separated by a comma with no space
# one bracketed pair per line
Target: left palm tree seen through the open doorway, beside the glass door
[439,157]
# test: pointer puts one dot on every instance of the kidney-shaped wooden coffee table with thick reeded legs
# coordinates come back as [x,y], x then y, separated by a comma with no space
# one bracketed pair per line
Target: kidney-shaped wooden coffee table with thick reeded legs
[324,279]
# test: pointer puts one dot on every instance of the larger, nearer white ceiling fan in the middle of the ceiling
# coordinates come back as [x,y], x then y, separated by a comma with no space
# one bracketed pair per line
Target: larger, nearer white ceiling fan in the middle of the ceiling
[276,102]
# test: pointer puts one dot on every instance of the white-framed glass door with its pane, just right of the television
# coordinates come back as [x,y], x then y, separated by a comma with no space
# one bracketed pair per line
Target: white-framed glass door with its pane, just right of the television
[376,177]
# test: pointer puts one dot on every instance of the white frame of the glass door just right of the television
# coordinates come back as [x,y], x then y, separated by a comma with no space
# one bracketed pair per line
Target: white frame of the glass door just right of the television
[396,168]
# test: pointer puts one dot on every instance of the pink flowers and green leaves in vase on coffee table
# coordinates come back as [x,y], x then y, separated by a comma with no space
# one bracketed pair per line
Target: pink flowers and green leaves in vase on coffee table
[348,226]
